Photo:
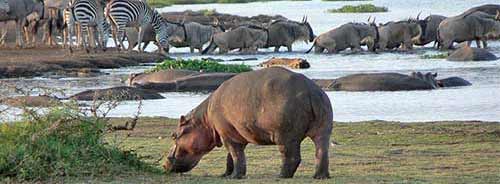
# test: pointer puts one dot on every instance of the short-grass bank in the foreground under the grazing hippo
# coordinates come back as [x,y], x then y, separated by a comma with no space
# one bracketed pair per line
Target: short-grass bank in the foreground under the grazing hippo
[367,152]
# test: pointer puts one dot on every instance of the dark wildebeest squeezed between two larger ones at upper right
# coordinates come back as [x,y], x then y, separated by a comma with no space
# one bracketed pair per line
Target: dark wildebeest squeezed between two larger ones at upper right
[429,27]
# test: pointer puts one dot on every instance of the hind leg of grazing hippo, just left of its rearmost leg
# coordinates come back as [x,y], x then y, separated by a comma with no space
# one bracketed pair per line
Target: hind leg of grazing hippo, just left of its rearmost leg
[290,153]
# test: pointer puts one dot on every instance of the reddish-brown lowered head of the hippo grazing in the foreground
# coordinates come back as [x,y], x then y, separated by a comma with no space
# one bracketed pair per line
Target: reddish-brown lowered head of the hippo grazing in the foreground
[193,139]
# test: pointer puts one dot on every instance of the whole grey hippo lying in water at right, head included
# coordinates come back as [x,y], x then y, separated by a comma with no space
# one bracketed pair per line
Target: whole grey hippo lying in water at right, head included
[389,82]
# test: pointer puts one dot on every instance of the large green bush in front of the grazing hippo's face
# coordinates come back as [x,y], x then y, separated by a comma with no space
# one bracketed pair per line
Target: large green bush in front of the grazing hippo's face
[61,143]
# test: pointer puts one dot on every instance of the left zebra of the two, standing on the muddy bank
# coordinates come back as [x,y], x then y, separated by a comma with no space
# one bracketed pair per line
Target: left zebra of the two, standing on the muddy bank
[89,14]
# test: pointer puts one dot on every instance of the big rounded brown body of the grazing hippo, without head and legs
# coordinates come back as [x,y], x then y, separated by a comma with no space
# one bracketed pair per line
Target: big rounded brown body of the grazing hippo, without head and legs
[269,105]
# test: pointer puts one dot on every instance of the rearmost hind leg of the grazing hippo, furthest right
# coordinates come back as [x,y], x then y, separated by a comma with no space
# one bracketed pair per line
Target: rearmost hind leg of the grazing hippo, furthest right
[321,143]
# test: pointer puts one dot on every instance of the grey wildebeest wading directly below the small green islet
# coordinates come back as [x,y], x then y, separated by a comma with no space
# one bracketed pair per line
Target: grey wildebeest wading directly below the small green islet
[350,35]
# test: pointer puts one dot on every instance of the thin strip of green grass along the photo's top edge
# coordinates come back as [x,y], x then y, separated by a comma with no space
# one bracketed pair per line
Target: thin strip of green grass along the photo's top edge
[162,3]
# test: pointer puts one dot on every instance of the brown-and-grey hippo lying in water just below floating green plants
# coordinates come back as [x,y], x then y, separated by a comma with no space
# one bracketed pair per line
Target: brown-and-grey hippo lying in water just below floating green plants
[179,80]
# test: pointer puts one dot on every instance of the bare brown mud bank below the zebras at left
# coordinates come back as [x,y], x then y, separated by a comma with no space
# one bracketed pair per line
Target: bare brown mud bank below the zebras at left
[56,61]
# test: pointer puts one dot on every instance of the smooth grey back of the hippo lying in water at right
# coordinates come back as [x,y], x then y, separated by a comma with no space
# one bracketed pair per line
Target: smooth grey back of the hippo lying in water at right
[379,82]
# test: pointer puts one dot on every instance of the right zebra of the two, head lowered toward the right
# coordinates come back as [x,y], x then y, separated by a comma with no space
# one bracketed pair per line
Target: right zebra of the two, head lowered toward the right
[133,13]
